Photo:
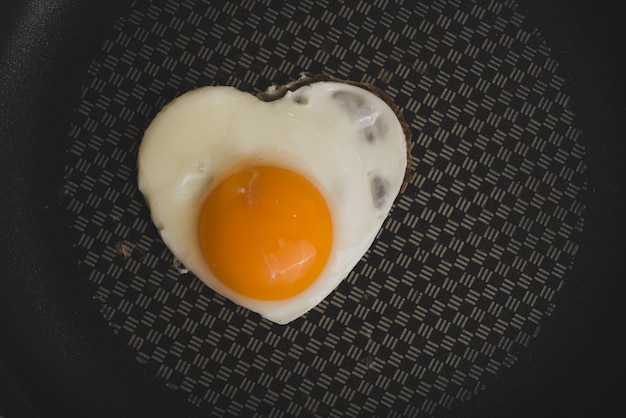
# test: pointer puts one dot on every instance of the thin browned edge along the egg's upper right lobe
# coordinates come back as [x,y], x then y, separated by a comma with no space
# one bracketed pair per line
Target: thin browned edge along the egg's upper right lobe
[277,92]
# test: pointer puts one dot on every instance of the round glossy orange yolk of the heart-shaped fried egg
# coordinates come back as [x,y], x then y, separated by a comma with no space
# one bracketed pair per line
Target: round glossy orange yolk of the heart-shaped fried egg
[265,232]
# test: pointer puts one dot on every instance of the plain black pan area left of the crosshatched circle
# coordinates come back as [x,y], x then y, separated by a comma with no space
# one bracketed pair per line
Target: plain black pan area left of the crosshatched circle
[56,345]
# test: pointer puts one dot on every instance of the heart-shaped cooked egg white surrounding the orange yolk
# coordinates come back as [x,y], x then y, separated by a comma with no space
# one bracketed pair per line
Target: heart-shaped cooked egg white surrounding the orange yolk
[204,134]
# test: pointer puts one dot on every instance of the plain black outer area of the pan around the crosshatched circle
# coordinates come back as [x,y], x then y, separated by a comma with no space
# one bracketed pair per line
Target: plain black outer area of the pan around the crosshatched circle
[61,352]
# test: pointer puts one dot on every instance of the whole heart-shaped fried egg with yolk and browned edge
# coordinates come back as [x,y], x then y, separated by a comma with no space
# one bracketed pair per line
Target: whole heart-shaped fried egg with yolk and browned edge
[272,200]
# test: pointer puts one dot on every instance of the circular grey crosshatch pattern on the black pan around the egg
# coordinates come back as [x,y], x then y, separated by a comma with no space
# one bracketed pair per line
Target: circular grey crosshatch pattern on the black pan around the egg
[462,274]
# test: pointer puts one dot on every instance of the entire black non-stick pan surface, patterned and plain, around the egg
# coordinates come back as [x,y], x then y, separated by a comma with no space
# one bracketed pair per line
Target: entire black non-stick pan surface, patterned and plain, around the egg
[488,291]
